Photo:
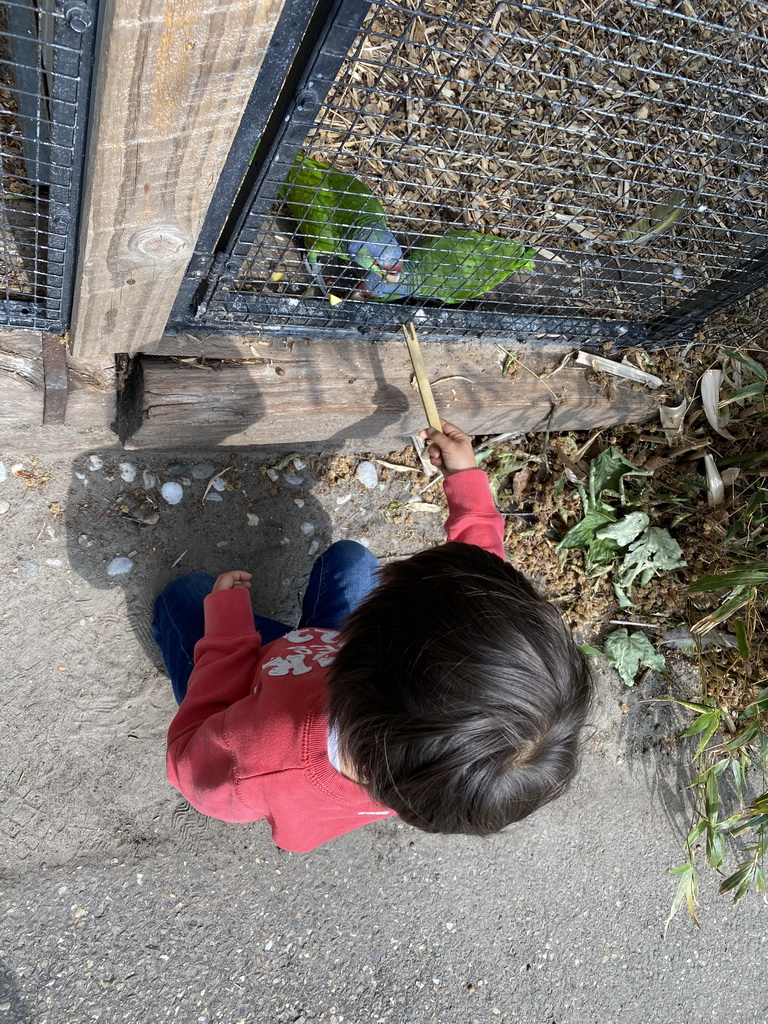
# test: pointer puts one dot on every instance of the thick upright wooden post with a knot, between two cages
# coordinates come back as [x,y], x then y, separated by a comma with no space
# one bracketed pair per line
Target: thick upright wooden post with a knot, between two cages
[174,80]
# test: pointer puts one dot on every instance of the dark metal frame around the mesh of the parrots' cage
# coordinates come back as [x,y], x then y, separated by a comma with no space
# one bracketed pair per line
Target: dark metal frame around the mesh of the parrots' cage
[313,42]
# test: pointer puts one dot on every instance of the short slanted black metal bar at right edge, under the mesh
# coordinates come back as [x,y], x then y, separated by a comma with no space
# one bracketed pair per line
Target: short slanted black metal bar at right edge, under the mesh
[742,281]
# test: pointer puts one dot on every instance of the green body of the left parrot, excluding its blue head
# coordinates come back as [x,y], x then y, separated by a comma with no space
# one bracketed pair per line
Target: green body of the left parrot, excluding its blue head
[328,205]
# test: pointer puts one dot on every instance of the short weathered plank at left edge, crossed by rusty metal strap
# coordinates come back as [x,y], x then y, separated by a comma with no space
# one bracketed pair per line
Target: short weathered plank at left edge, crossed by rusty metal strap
[91,386]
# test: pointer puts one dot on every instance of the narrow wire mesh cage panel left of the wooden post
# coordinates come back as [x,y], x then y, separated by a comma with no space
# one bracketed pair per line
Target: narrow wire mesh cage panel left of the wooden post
[46,58]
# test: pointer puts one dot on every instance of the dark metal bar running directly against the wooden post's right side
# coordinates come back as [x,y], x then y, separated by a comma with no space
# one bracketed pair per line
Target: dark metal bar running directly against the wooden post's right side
[291,34]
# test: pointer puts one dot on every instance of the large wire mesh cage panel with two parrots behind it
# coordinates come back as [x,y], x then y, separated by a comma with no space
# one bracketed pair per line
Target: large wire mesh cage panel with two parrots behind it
[475,163]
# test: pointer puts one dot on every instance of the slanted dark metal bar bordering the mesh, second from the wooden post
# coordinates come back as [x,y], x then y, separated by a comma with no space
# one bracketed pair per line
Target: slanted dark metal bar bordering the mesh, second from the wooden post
[287,131]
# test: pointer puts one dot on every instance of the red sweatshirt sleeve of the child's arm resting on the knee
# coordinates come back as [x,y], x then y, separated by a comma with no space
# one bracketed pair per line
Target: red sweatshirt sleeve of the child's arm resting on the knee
[199,759]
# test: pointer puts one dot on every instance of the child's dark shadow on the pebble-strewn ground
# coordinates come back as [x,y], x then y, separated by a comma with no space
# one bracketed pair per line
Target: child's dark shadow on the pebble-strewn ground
[123,534]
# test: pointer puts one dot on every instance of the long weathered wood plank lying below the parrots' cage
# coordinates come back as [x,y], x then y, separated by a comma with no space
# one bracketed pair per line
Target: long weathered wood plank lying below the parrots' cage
[357,393]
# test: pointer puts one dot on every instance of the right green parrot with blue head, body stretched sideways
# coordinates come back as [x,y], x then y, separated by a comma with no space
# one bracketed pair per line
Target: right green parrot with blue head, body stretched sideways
[452,268]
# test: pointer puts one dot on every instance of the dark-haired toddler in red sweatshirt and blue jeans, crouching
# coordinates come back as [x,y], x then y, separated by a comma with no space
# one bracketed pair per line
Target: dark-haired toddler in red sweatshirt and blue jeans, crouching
[443,689]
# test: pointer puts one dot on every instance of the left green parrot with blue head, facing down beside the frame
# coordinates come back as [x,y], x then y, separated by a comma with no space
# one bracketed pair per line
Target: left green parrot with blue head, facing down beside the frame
[339,217]
